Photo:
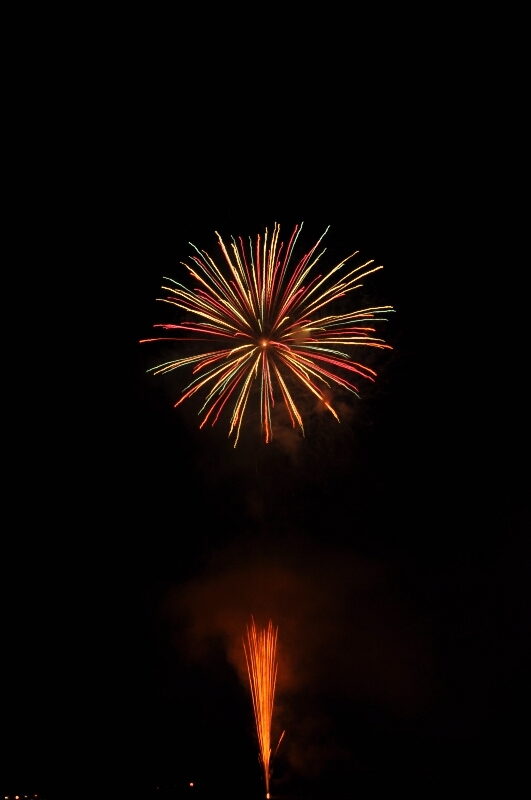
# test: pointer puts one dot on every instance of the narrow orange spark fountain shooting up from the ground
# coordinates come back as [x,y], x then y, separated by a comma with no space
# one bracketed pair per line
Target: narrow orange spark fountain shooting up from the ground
[260,655]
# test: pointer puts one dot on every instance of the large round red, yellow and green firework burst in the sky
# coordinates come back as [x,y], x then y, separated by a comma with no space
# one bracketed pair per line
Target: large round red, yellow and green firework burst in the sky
[270,322]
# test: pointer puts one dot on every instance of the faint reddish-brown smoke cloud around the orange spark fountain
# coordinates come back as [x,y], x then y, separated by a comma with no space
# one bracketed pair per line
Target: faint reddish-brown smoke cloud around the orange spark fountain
[342,633]
